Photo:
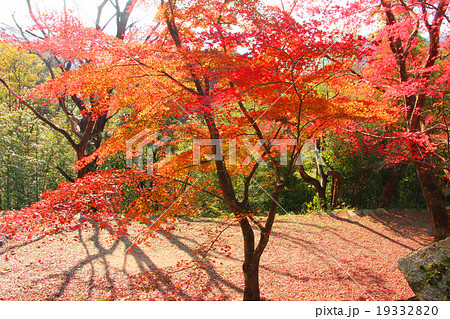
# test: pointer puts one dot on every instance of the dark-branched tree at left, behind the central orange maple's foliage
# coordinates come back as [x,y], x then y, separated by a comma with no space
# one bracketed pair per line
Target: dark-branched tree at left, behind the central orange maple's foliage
[62,42]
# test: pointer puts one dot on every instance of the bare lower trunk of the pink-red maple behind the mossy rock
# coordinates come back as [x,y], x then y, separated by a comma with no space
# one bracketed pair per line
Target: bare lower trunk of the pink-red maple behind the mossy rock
[434,200]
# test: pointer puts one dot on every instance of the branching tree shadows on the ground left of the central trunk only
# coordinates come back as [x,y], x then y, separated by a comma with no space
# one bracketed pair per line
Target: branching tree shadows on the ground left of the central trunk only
[156,278]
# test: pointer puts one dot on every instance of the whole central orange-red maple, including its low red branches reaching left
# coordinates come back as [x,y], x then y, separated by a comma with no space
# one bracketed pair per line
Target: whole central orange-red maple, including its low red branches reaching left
[234,84]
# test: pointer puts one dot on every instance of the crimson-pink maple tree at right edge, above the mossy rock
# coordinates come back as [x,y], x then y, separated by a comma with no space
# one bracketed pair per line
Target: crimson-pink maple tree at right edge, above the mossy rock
[407,63]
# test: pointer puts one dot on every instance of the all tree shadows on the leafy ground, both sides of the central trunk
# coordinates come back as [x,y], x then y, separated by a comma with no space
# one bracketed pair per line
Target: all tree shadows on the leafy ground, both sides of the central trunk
[97,253]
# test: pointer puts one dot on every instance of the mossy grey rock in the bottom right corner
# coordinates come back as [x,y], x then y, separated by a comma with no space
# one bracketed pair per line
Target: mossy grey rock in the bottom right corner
[427,271]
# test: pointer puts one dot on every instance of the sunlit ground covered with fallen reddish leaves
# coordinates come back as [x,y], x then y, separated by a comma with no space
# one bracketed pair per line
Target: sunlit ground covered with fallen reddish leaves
[309,257]
